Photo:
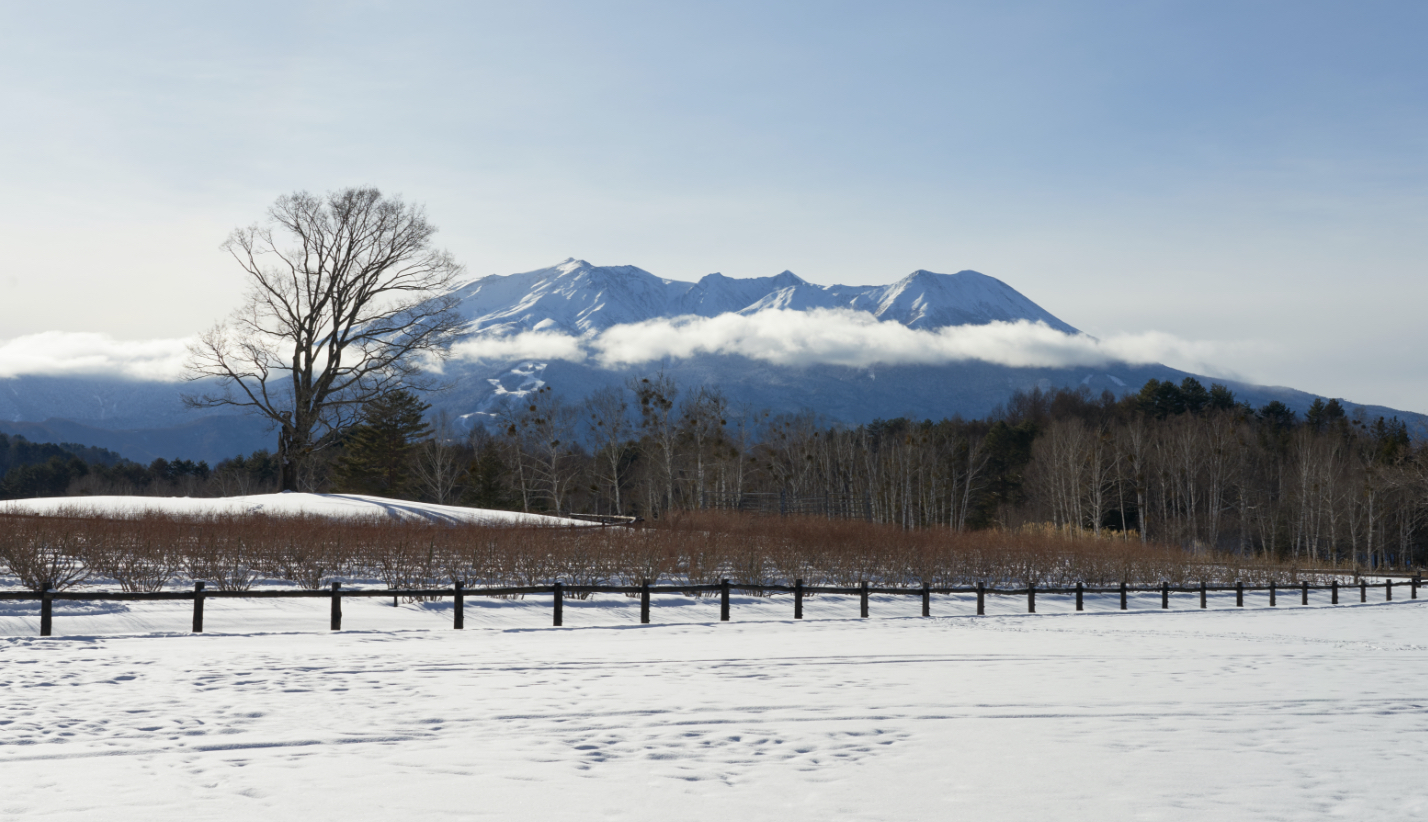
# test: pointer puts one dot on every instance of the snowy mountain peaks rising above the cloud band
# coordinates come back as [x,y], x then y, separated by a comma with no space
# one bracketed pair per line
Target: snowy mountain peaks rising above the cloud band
[578,298]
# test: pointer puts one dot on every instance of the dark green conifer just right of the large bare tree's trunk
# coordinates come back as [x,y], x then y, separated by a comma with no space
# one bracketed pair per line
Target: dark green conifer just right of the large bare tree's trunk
[379,452]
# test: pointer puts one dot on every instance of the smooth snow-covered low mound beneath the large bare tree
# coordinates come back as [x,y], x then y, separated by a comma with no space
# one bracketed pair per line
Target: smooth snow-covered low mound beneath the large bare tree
[286,504]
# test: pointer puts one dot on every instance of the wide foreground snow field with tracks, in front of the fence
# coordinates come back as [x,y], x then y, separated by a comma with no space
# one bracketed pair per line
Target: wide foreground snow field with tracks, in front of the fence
[1226,714]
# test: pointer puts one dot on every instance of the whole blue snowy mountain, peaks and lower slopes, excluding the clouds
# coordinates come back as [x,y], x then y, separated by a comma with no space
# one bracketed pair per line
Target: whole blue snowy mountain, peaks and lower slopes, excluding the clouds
[146,420]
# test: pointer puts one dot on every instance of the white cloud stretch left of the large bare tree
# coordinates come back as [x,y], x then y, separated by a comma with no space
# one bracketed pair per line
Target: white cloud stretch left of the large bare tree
[71,353]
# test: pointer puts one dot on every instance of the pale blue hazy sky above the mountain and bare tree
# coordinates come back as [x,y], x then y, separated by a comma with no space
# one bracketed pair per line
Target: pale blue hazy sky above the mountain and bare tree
[1246,176]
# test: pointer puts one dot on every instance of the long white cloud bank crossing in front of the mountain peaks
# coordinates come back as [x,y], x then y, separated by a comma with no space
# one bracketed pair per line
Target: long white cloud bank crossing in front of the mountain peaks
[835,338]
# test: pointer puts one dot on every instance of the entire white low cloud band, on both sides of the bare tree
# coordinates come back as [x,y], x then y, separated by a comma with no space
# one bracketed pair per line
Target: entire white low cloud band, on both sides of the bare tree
[826,336]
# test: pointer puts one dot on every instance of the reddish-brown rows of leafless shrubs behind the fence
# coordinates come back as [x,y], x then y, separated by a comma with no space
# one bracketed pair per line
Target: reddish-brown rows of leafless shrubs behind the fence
[235,553]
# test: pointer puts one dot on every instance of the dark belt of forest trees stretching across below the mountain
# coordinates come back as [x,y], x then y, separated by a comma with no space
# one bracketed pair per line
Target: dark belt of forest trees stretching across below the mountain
[1175,465]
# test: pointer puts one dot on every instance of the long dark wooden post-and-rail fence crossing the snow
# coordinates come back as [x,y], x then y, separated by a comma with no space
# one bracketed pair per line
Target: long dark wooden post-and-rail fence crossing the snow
[559,592]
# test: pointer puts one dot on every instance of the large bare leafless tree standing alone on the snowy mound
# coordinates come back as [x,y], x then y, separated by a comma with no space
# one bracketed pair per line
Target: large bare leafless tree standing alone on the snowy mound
[346,302]
